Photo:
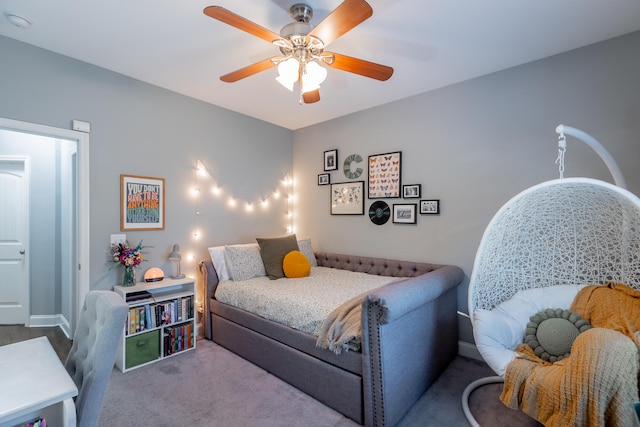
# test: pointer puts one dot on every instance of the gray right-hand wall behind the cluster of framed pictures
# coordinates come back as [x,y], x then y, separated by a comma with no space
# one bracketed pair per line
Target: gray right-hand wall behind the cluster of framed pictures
[474,145]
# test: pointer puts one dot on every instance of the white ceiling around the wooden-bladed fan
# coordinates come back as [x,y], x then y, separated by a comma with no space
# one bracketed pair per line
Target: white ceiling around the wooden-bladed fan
[429,43]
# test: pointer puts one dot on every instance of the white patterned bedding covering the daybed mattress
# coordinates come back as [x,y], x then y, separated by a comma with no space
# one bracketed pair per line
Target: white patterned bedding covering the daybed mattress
[303,303]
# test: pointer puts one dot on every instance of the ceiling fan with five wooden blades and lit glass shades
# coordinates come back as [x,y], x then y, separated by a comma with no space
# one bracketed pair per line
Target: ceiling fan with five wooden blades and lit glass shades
[302,46]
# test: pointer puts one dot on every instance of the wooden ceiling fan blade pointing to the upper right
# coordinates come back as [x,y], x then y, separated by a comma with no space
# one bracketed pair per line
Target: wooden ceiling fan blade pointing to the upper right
[346,16]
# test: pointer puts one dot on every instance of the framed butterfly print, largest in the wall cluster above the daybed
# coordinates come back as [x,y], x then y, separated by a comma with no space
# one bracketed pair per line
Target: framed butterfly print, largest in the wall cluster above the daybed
[384,175]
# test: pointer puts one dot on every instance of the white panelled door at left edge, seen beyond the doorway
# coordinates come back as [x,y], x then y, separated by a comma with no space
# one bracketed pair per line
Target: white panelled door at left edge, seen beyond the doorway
[14,218]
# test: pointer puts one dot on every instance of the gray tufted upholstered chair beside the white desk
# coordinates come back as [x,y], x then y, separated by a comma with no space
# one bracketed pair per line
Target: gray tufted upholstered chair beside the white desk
[93,353]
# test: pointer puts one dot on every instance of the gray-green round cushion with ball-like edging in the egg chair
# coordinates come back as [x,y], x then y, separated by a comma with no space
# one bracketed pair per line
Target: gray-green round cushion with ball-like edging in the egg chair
[550,333]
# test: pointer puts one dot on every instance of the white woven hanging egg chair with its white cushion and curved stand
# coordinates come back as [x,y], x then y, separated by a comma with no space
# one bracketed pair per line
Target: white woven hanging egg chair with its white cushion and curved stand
[544,245]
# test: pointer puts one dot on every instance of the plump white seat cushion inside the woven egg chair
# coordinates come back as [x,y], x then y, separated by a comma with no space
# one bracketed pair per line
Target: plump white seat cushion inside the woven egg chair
[499,331]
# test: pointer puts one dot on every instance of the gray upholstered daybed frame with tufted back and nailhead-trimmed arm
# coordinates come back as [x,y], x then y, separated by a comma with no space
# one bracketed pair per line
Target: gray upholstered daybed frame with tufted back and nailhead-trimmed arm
[409,336]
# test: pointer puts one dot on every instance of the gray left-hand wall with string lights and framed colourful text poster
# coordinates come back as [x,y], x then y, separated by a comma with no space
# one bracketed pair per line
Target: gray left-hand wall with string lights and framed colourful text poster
[140,129]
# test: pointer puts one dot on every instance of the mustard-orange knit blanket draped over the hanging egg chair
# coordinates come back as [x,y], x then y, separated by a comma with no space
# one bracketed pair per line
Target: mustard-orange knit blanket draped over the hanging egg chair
[596,385]
